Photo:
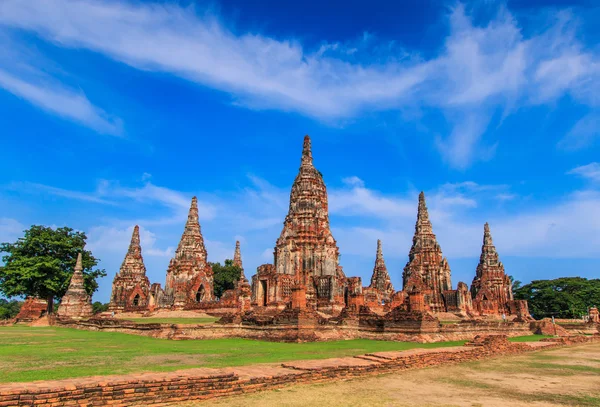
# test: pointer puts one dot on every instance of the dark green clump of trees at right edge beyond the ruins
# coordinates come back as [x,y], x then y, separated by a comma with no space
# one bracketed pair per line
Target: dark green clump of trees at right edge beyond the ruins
[567,297]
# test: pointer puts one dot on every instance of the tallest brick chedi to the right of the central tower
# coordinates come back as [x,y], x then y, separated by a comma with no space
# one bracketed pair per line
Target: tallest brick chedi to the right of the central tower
[427,271]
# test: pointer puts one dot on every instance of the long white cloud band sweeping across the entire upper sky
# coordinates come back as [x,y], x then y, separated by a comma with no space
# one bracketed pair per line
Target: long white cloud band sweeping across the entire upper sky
[480,68]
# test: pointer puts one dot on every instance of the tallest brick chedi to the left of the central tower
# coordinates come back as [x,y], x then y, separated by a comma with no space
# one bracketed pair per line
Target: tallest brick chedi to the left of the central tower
[189,275]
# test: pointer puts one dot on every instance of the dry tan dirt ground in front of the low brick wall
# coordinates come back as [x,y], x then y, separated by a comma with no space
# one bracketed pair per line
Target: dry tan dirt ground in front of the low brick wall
[561,377]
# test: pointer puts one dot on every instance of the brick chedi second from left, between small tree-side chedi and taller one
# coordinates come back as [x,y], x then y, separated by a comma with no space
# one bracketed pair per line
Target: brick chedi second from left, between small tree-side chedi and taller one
[131,287]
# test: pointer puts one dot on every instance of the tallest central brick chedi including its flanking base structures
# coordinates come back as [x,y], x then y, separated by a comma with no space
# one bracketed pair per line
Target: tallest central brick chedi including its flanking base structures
[306,254]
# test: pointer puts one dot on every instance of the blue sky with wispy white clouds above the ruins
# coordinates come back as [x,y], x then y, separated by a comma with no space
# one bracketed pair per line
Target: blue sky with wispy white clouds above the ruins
[116,113]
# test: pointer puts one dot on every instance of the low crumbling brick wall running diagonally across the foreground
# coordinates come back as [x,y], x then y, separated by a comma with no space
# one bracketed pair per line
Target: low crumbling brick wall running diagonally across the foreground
[199,384]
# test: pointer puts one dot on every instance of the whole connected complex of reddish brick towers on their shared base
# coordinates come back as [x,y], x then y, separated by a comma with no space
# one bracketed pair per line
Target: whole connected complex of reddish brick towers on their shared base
[305,281]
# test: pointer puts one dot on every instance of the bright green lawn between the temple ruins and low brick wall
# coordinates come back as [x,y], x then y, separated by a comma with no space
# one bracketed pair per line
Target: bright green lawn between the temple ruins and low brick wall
[47,353]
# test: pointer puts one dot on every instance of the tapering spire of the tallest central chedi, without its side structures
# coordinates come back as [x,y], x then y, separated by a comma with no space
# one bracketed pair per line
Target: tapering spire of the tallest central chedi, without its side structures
[306,246]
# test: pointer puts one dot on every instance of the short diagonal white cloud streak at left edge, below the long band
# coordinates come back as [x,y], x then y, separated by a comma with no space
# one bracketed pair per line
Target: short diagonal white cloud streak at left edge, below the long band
[56,98]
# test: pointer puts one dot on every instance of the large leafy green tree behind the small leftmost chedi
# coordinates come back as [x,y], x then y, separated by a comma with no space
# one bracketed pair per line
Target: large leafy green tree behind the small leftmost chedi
[41,264]
